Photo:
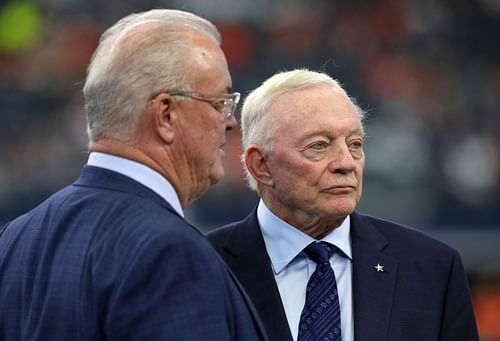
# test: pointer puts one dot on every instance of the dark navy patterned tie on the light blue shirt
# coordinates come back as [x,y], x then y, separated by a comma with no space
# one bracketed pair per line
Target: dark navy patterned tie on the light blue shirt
[320,318]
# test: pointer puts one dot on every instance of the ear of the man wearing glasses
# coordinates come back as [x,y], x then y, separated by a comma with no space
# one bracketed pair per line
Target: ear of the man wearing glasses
[165,117]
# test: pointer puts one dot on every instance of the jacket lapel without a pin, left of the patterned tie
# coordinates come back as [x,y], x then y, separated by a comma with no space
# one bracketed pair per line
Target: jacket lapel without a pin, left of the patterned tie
[248,258]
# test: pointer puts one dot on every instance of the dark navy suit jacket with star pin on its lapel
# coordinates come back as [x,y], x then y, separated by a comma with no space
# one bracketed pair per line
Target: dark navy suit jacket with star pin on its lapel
[421,295]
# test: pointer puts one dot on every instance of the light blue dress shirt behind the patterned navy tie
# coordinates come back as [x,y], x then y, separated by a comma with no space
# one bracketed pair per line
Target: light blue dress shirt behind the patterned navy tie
[292,268]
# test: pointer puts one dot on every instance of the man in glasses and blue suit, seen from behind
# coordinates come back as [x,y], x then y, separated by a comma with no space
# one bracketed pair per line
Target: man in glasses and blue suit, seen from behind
[111,256]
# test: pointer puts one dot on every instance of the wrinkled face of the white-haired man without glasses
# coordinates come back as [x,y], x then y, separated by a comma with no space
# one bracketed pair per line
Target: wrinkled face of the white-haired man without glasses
[317,159]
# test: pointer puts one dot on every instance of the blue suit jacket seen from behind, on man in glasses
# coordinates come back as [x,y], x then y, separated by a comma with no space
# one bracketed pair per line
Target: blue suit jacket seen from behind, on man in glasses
[108,259]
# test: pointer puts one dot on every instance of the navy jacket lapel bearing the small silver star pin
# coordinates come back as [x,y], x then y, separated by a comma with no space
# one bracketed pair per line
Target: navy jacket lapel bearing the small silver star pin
[373,291]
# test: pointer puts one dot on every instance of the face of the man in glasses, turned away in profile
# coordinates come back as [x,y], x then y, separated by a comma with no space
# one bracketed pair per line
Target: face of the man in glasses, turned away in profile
[203,131]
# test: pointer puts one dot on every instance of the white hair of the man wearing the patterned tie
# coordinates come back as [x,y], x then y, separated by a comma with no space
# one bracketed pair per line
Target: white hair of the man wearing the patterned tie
[258,127]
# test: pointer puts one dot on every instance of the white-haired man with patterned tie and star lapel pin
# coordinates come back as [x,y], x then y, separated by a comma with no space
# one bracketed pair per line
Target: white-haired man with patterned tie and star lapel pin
[303,153]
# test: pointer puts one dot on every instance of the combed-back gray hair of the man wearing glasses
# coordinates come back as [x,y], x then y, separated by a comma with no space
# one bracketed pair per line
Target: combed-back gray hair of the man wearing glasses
[122,77]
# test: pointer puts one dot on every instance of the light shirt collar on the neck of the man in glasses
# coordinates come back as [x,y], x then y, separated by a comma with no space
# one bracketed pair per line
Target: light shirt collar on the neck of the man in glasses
[140,173]
